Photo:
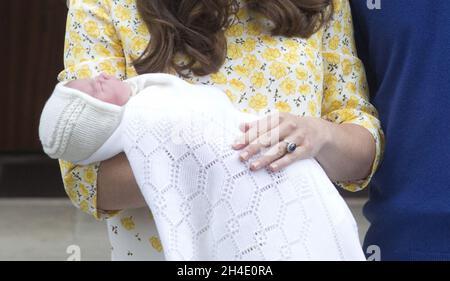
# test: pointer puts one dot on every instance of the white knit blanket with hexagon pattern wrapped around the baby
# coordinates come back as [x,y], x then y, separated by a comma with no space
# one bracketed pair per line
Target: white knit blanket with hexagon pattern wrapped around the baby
[206,203]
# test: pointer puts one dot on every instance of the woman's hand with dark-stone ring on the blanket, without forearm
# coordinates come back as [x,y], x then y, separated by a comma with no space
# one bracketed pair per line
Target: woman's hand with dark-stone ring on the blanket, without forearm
[308,133]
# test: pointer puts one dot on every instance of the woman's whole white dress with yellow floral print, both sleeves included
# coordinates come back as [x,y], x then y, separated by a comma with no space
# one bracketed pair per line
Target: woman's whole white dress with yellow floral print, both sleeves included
[320,76]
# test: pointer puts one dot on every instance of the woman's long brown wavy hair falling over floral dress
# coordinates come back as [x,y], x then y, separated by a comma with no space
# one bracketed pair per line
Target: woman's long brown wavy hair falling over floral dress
[195,29]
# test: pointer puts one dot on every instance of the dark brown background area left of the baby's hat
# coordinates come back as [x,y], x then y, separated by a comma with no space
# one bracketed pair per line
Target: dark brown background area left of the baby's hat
[32,46]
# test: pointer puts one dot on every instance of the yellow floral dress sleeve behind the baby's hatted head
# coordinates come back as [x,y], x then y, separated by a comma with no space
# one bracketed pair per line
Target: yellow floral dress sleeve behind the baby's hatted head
[91,47]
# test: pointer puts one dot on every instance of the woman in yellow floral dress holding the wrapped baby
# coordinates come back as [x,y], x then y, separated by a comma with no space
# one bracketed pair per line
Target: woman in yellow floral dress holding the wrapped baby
[290,56]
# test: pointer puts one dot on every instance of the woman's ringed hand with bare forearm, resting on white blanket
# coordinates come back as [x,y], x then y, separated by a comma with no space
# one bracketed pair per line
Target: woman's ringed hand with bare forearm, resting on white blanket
[345,151]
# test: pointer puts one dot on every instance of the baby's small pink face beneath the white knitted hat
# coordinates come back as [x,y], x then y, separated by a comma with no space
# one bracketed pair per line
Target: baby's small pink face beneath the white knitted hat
[103,87]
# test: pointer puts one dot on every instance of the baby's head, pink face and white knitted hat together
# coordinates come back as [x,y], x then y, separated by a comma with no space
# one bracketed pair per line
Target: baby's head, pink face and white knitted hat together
[74,123]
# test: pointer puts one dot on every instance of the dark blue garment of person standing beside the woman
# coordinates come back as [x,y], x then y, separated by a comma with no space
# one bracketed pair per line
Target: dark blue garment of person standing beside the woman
[405,46]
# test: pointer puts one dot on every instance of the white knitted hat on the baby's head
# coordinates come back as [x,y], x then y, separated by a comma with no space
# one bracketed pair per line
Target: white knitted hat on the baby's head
[74,125]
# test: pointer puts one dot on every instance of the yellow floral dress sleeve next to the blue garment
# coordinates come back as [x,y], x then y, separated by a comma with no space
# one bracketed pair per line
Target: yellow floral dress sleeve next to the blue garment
[346,94]
